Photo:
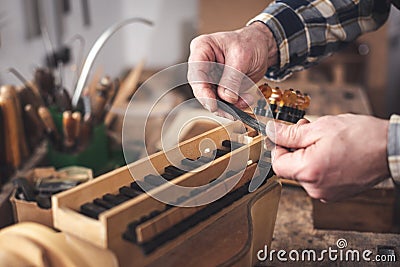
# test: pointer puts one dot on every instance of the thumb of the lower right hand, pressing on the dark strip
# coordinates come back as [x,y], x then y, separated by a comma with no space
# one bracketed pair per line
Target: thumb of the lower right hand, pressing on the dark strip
[290,136]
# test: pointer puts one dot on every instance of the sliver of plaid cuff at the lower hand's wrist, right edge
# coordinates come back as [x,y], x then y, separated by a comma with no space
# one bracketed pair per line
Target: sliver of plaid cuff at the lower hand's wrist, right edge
[393,148]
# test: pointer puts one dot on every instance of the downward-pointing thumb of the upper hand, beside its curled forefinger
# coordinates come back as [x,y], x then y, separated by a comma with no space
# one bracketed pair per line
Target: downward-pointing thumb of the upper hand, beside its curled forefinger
[230,83]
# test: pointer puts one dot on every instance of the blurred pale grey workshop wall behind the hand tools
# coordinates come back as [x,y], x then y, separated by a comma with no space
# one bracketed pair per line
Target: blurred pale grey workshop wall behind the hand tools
[162,45]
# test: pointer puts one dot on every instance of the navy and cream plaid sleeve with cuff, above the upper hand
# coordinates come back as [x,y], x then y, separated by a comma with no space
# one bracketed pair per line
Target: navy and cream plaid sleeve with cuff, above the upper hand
[308,30]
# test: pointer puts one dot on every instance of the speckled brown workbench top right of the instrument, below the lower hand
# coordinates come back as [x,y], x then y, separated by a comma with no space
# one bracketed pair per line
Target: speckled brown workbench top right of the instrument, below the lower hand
[294,230]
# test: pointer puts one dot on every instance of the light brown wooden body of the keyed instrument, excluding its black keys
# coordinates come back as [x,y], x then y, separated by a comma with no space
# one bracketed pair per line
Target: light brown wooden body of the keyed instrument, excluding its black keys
[228,237]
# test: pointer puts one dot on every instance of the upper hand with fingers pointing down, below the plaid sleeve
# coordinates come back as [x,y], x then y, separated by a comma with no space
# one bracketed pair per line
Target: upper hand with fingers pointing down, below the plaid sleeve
[250,50]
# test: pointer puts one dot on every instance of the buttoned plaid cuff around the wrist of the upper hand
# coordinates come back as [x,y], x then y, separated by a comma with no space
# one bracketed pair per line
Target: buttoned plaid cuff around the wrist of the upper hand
[291,37]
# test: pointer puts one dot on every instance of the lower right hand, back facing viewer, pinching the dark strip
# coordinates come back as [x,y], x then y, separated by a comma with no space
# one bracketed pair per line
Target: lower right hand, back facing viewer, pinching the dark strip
[334,157]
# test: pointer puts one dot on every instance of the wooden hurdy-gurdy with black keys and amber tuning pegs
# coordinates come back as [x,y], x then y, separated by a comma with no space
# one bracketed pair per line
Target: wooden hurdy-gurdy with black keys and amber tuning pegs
[113,212]
